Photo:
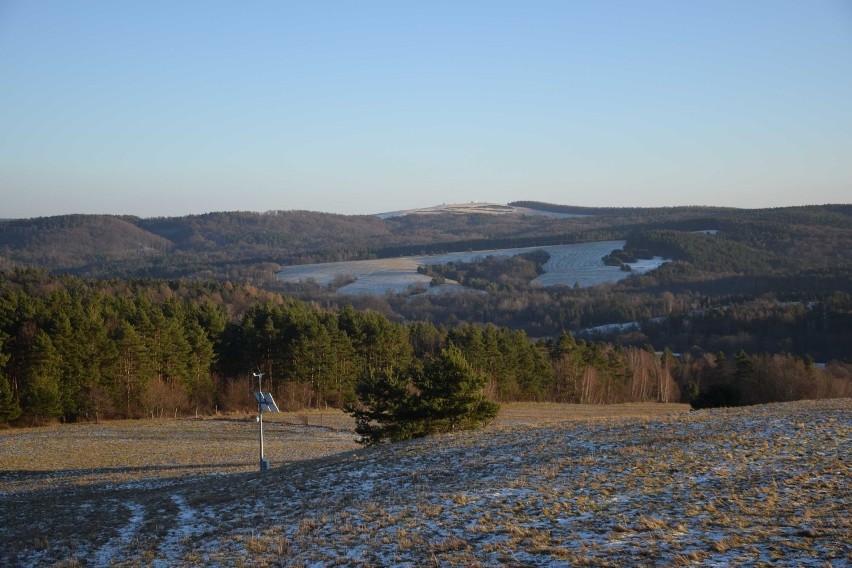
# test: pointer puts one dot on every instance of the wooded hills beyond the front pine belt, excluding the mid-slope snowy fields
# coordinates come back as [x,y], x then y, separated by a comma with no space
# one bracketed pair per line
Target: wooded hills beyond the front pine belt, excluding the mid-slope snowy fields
[767,280]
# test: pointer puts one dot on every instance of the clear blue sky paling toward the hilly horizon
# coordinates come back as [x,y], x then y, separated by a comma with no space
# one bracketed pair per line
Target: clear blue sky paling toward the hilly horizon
[162,108]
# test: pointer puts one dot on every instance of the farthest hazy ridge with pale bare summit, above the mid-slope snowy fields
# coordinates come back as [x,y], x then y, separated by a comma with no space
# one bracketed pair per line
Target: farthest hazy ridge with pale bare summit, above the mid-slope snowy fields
[246,245]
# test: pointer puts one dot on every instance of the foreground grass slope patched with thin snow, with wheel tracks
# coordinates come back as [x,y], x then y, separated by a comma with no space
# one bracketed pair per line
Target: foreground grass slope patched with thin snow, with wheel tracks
[747,486]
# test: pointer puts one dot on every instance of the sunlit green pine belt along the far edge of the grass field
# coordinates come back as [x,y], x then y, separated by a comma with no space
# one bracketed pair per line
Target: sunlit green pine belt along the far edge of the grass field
[74,349]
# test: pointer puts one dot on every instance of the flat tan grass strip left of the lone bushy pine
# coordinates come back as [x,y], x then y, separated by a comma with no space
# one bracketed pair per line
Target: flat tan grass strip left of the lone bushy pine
[121,451]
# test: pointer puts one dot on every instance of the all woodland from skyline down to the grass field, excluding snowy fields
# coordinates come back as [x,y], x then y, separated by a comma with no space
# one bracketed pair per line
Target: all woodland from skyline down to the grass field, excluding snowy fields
[114,317]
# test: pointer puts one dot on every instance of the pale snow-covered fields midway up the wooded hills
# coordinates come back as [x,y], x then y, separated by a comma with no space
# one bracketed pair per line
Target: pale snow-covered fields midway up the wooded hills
[568,264]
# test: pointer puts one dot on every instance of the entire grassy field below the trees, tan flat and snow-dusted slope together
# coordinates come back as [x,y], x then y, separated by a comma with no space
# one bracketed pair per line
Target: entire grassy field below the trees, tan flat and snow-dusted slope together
[545,485]
